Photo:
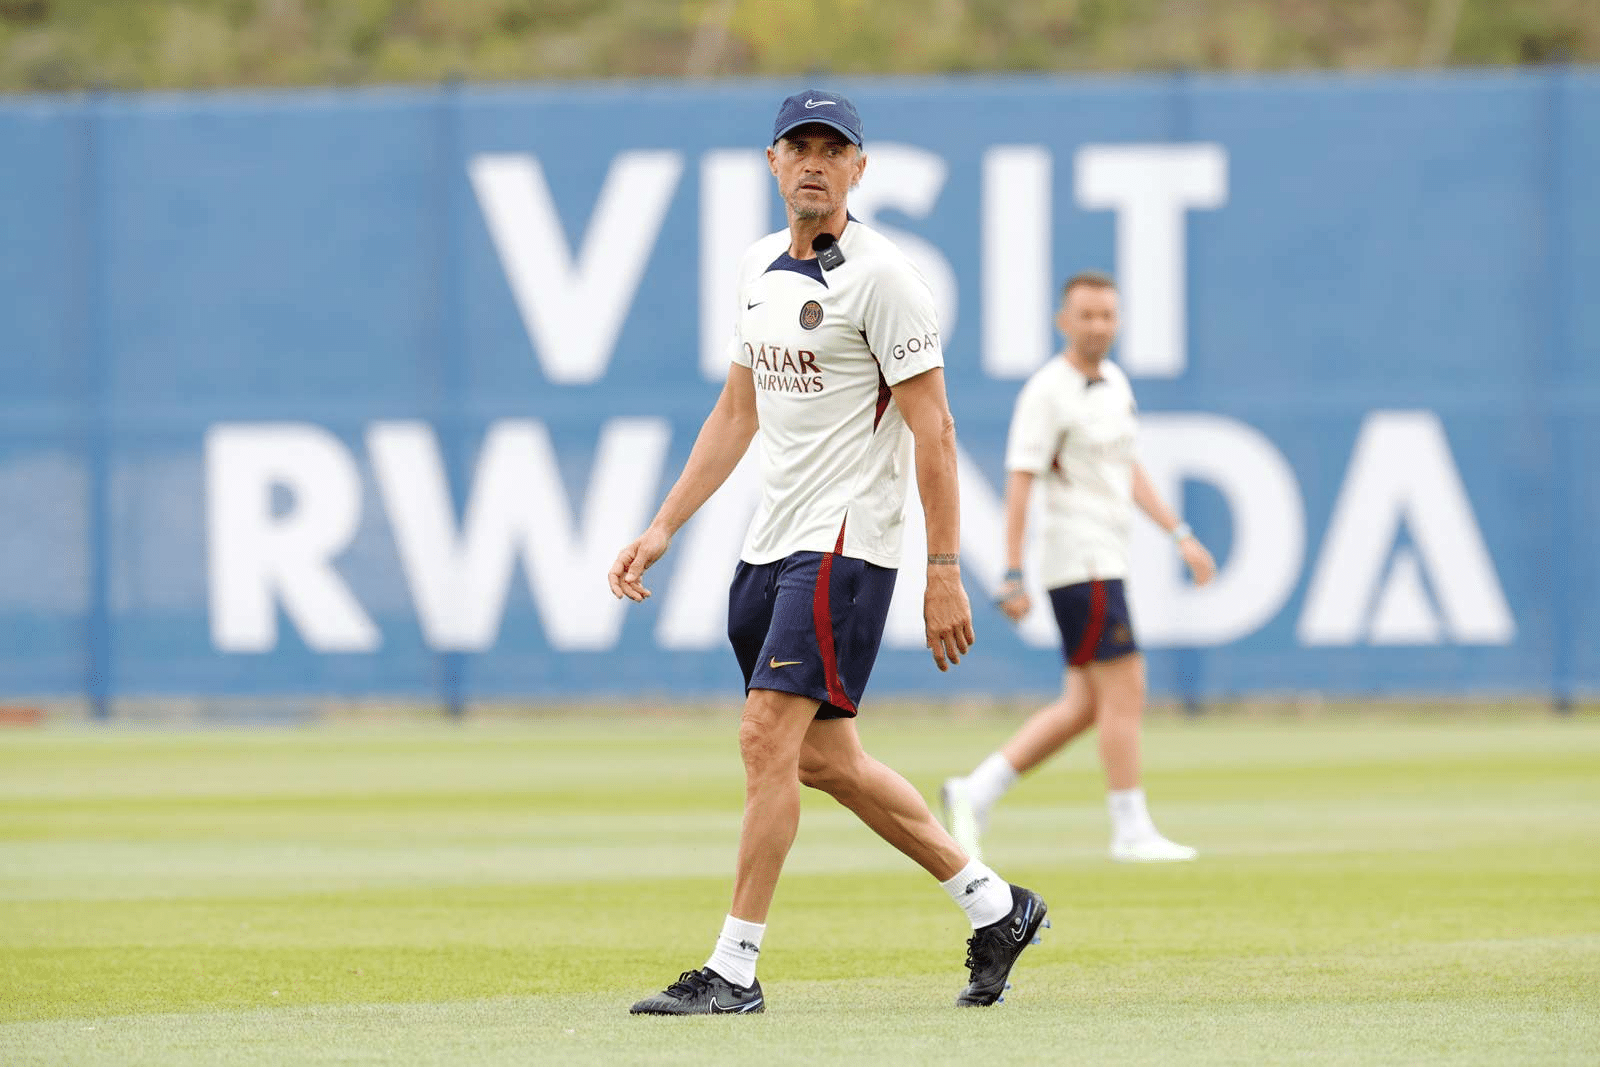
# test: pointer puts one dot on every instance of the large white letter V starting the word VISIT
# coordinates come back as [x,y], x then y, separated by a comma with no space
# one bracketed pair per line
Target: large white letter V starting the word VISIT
[575,311]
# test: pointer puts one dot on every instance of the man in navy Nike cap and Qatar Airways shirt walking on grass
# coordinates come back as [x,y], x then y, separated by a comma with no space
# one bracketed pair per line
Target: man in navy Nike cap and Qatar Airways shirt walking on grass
[838,364]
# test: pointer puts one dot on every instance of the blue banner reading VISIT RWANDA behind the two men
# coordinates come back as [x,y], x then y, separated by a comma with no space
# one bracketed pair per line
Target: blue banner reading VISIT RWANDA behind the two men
[361,393]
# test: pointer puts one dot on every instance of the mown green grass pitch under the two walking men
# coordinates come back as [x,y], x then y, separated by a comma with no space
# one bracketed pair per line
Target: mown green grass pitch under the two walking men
[1410,890]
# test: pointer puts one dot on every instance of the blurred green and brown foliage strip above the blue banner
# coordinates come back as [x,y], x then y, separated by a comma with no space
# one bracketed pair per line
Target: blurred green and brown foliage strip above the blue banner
[50,46]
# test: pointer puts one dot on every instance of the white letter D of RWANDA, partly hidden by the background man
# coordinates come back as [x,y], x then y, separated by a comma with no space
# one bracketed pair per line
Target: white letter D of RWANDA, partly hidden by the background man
[1268,521]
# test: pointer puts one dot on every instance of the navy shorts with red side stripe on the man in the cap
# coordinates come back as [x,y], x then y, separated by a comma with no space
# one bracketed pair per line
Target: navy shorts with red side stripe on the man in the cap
[810,625]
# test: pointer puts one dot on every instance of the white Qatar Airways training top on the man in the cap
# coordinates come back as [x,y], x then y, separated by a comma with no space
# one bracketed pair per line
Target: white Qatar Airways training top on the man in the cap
[825,350]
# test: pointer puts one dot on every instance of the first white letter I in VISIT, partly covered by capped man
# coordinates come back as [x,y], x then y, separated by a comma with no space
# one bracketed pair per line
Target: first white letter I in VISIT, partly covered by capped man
[735,214]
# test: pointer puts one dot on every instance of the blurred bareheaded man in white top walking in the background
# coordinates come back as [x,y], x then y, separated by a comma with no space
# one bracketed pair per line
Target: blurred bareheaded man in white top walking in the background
[1074,431]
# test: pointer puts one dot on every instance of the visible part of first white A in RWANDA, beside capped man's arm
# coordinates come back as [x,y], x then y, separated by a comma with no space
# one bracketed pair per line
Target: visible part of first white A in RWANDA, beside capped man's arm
[695,604]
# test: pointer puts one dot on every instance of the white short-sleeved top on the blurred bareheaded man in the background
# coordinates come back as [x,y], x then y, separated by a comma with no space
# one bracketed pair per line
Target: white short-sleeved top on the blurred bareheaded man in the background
[1078,438]
